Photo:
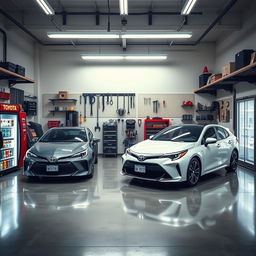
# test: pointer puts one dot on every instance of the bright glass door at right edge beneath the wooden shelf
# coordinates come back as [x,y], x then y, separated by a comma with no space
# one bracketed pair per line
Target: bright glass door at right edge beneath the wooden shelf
[245,130]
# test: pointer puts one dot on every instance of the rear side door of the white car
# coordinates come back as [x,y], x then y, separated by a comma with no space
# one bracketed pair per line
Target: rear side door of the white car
[225,147]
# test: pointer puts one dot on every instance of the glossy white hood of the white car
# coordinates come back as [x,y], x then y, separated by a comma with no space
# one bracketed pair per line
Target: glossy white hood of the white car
[160,147]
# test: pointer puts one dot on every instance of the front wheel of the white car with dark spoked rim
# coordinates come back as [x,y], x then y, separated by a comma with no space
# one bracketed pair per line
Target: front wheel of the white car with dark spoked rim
[193,172]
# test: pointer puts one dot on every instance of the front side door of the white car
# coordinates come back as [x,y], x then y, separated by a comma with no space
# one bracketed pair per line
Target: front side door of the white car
[209,152]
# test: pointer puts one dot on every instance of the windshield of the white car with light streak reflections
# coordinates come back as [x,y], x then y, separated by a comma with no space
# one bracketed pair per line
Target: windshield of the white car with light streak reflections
[188,133]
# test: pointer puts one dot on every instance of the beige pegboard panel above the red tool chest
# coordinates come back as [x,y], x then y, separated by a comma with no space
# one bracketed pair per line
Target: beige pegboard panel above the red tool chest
[173,105]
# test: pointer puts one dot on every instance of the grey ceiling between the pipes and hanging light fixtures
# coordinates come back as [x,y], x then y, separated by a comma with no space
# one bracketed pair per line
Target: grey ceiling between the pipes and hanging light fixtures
[29,13]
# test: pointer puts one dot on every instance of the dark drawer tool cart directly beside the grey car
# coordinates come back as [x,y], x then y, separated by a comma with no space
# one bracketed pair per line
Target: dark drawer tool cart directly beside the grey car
[110,139]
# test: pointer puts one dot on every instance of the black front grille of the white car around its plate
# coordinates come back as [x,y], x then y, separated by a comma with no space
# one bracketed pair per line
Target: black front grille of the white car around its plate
[153,171]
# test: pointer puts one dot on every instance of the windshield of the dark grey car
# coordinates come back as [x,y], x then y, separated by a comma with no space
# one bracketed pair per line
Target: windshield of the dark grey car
[65,135]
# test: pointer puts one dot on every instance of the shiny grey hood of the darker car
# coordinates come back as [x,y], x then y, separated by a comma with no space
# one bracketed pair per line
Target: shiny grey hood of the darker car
[58,149]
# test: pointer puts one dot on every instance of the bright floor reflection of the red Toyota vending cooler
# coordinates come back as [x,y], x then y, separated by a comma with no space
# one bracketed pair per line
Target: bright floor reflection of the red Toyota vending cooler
[8,205]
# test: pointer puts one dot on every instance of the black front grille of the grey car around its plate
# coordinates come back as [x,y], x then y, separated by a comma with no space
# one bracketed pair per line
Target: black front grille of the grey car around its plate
[65,168]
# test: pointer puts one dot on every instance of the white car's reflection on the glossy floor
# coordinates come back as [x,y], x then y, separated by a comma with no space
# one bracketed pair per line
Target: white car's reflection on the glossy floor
[199,205]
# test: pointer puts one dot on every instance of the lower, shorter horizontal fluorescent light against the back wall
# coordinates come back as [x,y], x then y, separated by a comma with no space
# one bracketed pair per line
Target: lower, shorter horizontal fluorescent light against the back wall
[114,57]
